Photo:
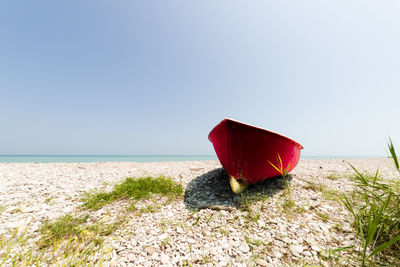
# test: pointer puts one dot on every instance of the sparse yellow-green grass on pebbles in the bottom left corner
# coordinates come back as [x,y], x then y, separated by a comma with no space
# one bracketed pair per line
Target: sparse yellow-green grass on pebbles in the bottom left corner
[67,241]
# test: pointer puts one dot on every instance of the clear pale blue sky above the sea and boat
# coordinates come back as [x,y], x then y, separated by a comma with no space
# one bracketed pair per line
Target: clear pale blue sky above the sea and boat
[154,77]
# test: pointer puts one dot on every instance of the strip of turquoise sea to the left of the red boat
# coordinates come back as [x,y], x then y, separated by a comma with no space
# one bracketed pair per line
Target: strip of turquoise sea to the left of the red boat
[96,158]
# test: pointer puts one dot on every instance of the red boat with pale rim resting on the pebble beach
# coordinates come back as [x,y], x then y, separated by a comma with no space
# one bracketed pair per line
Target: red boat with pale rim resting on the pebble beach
[250,154]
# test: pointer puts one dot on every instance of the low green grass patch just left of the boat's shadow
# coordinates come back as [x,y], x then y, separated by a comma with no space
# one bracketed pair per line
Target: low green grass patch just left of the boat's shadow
[136,189]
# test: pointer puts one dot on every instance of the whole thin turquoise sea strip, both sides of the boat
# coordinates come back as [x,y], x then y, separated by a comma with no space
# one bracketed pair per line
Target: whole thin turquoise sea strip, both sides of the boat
[130,158]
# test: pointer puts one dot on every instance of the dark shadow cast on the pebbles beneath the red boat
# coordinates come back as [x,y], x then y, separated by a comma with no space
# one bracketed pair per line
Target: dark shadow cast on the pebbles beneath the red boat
[212,190]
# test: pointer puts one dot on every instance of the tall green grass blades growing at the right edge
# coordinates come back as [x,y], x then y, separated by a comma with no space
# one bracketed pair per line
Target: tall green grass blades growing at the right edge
[375,206]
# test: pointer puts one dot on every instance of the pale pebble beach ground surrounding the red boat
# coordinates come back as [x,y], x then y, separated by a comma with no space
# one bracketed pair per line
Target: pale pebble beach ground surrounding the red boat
[206,226]
